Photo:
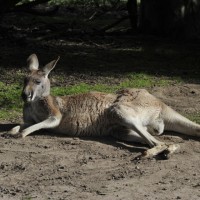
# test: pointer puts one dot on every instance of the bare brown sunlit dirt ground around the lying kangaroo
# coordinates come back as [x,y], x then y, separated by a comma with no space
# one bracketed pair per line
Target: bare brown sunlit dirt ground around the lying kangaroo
[45,166]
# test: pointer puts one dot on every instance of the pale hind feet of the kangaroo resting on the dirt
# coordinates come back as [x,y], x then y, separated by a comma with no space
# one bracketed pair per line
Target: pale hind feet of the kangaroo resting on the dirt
[163,150]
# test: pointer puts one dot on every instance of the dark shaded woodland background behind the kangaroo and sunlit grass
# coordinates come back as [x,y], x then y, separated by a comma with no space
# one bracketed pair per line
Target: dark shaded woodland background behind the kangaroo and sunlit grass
[103,37]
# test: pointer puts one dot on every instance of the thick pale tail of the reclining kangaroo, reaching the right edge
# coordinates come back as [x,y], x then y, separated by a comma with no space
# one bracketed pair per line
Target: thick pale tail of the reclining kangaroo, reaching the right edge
[175,122]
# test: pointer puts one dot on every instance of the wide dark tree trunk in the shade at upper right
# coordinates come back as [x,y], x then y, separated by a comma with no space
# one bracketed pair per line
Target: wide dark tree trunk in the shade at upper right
[177,18]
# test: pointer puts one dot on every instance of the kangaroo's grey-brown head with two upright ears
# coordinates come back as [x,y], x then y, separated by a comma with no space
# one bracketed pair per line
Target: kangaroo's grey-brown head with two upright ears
[36,83]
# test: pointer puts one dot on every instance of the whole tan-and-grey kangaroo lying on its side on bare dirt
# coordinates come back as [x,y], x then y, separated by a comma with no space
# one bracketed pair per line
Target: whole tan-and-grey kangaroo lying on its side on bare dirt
[130,114]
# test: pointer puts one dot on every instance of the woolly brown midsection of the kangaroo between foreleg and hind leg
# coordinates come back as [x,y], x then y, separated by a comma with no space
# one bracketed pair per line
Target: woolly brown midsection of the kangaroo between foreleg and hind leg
[86,115]
